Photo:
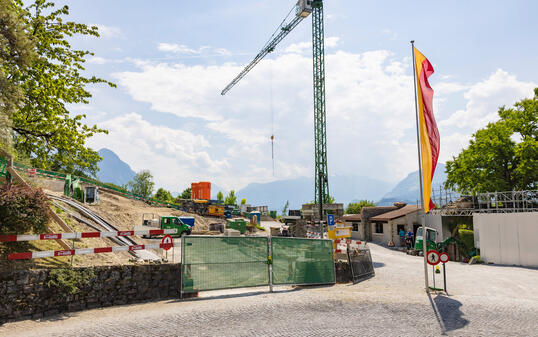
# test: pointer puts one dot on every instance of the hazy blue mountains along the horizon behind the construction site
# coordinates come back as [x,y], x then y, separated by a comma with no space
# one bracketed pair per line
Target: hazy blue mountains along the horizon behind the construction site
[274,194]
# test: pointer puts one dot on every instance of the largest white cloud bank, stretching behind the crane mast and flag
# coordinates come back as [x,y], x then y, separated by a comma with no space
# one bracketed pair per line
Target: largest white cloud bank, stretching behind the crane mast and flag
[370,112]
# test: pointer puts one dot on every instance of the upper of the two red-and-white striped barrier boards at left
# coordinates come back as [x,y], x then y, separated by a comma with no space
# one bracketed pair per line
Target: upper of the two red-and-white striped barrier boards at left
[83,235]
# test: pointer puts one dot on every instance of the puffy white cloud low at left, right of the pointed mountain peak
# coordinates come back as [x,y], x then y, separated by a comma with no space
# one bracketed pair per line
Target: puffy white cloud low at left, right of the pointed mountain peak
[175,157]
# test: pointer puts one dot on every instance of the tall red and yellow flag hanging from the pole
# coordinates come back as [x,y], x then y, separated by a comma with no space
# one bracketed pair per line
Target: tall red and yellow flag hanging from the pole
[429,134]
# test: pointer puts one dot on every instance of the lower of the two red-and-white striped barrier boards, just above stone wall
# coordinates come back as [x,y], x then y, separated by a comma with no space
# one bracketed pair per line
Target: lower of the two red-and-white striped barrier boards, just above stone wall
[84,251]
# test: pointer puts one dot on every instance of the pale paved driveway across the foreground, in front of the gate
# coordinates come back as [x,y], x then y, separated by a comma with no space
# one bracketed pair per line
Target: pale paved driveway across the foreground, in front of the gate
[482,301]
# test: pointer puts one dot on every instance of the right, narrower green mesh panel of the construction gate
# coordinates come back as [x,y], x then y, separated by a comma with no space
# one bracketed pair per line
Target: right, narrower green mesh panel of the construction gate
[302,261]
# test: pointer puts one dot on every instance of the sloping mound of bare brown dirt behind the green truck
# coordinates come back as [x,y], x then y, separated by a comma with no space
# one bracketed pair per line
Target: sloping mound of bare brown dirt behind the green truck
[126,213]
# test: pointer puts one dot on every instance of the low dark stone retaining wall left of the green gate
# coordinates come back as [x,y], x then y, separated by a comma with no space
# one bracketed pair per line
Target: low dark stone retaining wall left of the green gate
[25,294]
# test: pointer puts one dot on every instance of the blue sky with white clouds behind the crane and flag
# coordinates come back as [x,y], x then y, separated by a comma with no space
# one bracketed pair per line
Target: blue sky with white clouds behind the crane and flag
[171,59]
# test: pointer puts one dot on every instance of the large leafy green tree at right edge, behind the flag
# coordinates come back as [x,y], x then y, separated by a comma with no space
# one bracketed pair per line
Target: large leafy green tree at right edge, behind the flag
[501,157]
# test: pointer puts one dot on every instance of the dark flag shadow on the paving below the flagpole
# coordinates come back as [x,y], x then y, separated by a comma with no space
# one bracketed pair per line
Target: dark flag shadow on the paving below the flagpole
[448,313]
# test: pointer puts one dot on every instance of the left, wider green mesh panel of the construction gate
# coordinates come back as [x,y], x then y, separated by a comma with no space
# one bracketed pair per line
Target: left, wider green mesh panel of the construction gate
[211,263]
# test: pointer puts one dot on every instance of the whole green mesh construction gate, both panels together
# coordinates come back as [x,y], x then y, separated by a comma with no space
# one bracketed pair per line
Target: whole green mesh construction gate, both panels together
[211,263]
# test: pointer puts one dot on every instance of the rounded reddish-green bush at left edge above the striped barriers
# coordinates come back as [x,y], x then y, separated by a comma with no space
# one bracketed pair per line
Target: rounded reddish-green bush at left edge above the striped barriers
[23,209]
